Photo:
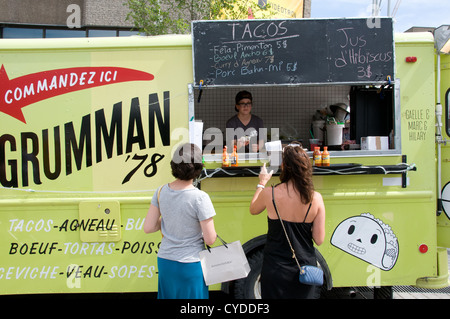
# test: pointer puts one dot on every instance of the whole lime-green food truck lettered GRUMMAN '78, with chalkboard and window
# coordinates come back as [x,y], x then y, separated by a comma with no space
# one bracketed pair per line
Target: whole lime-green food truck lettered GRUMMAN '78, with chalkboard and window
[88,127]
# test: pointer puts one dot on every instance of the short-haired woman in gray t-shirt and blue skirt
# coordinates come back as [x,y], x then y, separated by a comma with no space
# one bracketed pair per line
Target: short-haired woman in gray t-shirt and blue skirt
[184,214]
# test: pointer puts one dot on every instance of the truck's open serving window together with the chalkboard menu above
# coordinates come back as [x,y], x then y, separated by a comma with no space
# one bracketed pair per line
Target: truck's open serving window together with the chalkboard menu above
[324,81]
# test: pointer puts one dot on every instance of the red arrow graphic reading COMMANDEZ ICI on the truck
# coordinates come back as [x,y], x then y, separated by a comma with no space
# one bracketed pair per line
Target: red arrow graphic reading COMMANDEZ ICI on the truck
[28,89]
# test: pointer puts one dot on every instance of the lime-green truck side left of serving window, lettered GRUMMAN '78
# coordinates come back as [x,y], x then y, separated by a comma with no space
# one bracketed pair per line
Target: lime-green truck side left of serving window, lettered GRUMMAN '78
[78,167]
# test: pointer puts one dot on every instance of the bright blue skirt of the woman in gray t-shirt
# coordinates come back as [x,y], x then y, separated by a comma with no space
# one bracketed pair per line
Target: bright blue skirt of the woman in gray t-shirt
[178,280]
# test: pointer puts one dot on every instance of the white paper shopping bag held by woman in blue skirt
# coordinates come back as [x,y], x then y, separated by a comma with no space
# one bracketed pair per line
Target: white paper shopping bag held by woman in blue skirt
[224,263]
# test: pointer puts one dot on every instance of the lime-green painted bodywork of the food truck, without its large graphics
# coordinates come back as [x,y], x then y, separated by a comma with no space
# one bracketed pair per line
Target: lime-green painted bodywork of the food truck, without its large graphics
[41,249]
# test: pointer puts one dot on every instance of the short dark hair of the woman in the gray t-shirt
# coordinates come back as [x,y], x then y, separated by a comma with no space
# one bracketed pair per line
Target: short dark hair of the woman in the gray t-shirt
[186,162]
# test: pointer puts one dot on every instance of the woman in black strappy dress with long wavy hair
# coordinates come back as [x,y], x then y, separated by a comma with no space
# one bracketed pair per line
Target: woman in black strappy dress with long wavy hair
[303,213]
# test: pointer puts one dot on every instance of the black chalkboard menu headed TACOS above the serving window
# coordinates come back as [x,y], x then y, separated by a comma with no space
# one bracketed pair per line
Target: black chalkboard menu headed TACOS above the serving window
[293,51]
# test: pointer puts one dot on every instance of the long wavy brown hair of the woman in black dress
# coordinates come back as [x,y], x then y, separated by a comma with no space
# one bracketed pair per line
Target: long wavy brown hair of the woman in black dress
[298,169]
